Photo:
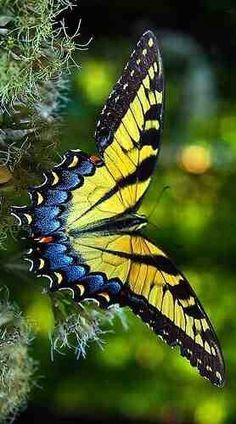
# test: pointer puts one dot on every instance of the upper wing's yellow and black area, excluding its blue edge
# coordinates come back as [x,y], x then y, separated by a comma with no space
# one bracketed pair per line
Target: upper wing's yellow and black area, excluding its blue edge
[128,135]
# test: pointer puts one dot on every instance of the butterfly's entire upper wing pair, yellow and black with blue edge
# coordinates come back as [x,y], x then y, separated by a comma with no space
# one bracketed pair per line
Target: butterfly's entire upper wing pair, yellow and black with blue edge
[128,133]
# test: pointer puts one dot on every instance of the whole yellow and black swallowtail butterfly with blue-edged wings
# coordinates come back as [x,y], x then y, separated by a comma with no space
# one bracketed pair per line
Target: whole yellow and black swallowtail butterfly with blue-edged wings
[86,231]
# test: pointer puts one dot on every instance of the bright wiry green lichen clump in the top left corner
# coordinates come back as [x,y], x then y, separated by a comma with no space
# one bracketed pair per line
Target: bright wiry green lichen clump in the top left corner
[33,49]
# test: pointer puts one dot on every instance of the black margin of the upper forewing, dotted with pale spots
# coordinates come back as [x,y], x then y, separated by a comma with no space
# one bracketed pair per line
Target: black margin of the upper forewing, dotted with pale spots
[126,89]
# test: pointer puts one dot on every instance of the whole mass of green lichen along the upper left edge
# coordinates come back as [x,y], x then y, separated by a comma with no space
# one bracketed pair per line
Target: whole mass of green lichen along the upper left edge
[35,58]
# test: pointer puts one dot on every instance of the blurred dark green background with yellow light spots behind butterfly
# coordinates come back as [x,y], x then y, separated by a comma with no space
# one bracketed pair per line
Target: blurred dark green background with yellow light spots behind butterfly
[136,377]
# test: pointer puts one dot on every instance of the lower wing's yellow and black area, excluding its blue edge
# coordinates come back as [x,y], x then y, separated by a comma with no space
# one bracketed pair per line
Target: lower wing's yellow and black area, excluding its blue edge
[156,291]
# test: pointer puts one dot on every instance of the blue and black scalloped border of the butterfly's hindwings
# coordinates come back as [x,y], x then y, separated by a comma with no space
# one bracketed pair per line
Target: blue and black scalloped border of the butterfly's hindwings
[49,218]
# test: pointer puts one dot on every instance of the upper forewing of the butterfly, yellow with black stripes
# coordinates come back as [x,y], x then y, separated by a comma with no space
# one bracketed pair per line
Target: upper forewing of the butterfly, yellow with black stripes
[128,132]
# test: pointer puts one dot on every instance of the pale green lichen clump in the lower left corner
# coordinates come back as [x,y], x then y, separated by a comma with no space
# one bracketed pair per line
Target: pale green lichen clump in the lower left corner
[16,365]
